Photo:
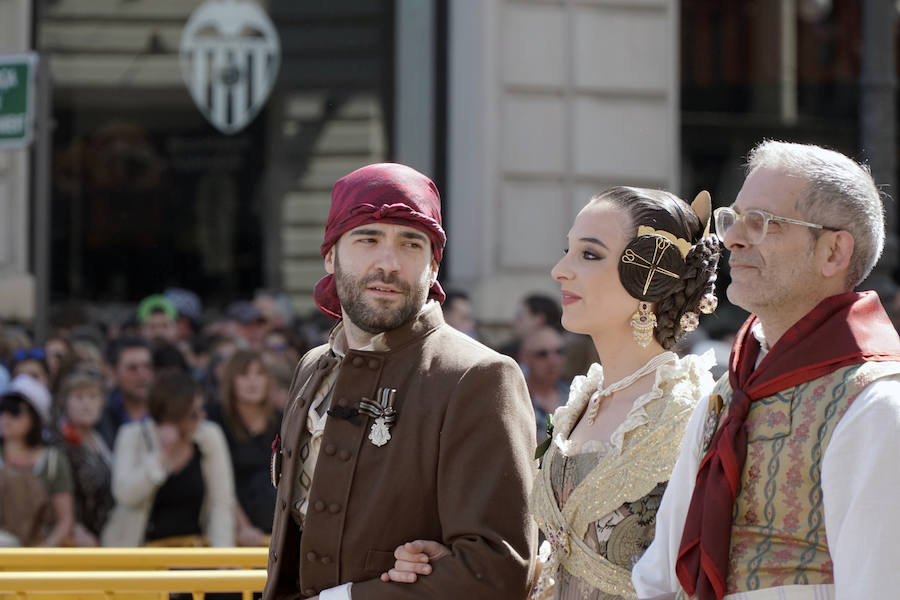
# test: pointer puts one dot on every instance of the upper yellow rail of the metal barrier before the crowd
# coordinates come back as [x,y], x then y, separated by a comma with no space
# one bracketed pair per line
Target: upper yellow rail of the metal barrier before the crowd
[103,559]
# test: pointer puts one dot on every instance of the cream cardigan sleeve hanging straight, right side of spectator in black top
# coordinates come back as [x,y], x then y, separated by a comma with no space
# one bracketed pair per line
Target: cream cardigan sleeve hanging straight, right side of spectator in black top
[218,479]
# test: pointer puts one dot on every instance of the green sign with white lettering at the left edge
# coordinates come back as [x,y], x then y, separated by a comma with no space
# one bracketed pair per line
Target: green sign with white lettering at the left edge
[17,74]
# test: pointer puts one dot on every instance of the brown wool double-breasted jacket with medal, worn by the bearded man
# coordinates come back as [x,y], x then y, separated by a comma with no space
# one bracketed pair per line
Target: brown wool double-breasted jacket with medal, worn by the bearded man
[457,469]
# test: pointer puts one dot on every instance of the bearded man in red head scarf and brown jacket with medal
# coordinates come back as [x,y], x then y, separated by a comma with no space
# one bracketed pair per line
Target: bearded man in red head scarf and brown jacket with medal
[400,427]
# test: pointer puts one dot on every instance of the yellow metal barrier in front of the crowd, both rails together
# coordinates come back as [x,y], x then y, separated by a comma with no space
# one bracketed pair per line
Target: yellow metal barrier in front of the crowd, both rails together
[129,573]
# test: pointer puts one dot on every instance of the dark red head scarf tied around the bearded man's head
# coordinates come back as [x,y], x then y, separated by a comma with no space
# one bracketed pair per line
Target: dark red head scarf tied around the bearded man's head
[381,193]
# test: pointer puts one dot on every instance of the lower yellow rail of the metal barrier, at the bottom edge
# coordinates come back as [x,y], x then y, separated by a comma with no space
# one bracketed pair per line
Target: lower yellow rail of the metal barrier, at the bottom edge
[117,584]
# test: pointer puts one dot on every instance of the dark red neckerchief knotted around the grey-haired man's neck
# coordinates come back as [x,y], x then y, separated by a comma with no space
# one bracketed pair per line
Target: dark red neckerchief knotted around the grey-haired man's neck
[842,330]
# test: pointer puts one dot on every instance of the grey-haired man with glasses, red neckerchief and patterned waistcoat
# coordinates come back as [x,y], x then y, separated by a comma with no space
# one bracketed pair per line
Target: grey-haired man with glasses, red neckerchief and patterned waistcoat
[777,490]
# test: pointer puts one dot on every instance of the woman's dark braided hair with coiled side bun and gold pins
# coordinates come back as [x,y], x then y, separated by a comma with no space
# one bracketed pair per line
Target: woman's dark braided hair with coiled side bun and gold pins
[679,282]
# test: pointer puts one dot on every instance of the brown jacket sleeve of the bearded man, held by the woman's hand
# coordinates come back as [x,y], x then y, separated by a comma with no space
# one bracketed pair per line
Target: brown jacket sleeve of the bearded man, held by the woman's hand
[485,472]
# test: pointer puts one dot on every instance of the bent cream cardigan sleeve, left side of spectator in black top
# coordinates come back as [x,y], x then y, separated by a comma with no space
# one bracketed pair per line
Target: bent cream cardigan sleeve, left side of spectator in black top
[137,471]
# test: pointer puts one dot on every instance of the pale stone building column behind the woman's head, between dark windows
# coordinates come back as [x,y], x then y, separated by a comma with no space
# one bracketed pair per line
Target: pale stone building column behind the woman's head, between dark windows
[550,103]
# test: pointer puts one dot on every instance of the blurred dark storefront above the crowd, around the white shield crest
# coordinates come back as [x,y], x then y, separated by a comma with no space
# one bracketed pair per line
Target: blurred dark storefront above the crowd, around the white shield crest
[148,193]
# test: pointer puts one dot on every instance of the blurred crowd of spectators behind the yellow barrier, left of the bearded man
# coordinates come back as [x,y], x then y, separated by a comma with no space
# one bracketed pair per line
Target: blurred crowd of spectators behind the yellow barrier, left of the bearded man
[154,431]
